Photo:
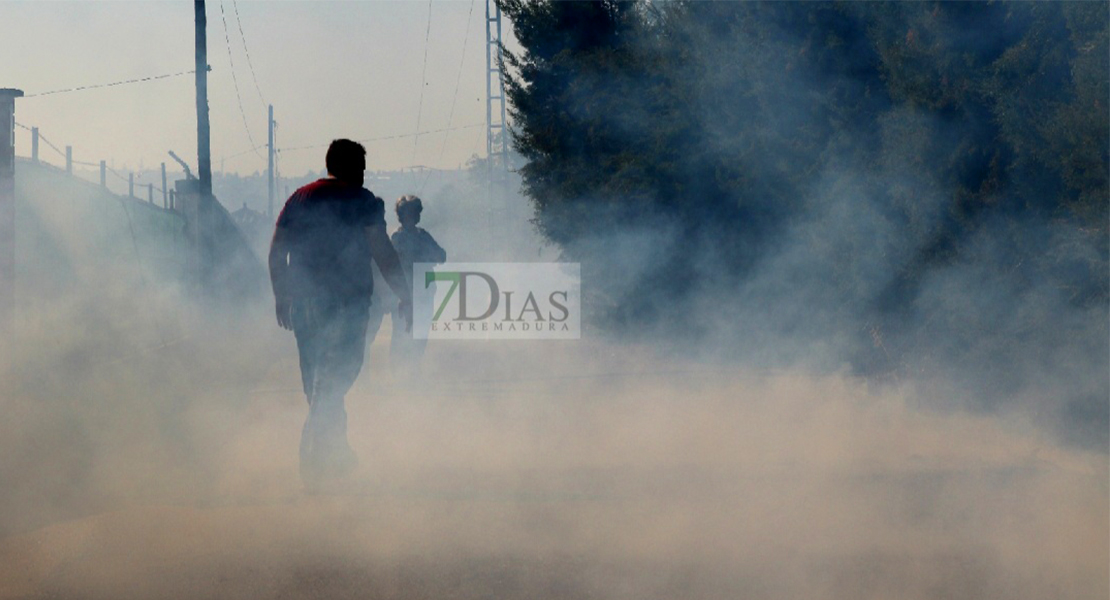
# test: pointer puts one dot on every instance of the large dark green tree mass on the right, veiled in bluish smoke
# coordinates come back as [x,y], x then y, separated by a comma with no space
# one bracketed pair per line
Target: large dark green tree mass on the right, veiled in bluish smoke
[914,188]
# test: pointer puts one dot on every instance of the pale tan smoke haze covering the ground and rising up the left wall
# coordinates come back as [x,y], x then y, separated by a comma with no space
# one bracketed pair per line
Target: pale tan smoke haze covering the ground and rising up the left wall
[150,452]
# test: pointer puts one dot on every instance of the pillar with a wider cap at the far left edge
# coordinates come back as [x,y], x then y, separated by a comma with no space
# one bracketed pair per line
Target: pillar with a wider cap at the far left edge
[8,206]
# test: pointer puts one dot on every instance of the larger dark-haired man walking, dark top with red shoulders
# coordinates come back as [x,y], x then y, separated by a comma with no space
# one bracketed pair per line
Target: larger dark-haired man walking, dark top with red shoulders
[320,267]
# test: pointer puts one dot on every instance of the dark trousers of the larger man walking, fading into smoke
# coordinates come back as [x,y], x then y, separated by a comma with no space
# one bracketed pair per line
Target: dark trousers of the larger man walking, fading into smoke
[331,339]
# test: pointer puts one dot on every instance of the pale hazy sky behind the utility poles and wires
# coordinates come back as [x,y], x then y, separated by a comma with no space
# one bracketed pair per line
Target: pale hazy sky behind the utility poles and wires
[331,69]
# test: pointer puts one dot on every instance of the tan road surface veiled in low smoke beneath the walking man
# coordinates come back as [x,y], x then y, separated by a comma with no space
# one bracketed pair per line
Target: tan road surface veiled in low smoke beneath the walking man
[528,474]
